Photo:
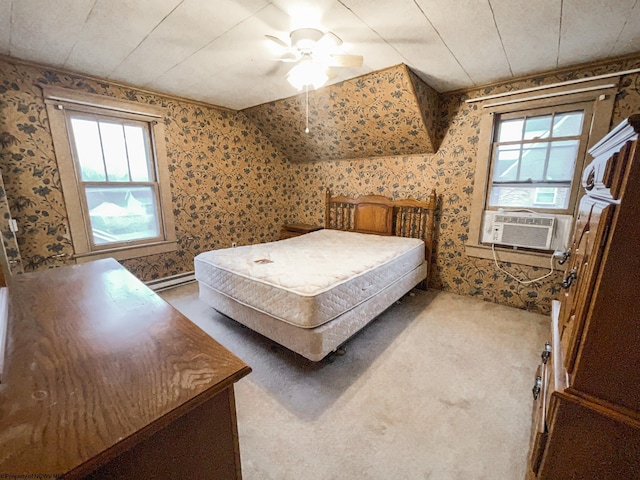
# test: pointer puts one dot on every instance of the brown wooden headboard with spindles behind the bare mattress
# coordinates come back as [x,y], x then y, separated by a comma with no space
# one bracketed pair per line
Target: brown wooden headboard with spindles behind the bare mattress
[382,216]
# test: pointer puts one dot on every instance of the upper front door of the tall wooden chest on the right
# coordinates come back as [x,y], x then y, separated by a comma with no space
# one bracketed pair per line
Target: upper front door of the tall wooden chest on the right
[589,238]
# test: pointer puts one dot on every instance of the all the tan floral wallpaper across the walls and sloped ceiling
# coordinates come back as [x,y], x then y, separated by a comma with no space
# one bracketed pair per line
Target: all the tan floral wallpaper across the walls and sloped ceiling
[231,183]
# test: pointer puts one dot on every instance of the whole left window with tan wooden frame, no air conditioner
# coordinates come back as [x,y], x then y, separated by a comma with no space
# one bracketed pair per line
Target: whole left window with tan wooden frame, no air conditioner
[113,174]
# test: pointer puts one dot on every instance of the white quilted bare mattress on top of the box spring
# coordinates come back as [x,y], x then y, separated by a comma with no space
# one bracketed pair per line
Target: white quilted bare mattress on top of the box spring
[310,279]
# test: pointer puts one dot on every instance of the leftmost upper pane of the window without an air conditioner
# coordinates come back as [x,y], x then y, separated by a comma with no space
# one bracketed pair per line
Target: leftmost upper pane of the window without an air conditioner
[87,141]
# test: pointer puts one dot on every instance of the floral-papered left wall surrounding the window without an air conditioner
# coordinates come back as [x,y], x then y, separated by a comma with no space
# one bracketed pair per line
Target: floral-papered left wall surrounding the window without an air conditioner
[226,178]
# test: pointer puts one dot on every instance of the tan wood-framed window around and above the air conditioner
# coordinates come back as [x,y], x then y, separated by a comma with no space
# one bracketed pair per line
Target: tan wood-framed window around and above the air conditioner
[531,153]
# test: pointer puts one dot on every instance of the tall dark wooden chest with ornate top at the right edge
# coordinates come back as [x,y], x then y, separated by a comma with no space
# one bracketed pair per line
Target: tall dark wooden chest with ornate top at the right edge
[587,412]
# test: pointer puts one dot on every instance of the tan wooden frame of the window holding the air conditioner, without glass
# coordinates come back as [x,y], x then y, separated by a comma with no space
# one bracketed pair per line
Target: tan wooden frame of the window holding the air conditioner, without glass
[599,93]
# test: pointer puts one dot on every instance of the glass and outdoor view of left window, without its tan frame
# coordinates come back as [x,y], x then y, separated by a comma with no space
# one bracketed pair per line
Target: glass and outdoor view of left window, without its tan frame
[117,177]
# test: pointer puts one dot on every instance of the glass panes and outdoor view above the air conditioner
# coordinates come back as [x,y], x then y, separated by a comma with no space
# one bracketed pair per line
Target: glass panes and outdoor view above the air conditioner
[534,159]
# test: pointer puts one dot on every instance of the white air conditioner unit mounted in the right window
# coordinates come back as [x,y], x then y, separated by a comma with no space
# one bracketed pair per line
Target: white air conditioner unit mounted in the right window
[523,230]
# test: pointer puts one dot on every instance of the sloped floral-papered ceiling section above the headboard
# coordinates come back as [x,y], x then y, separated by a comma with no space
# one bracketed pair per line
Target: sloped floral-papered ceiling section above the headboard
[372,115]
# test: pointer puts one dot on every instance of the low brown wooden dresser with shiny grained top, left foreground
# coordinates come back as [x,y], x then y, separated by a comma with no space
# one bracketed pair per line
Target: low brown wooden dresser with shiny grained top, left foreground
[105,380]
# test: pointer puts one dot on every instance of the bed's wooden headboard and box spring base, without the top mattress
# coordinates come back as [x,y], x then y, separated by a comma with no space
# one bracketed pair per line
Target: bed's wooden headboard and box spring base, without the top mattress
[373,214]
